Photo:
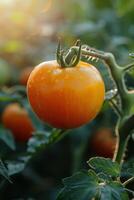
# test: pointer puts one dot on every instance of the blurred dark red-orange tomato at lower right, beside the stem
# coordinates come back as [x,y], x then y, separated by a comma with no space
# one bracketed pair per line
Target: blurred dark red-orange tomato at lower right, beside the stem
[103,143]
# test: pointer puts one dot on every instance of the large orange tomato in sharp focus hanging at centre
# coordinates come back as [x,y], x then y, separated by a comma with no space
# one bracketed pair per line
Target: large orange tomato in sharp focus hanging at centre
[65,97]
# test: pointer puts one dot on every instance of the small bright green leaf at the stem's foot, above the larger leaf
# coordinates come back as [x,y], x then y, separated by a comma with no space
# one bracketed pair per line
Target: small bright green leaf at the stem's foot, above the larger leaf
[105,165]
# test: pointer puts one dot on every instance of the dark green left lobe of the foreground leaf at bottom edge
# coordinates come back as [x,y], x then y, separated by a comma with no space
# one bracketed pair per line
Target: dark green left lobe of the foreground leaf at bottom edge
[80,186]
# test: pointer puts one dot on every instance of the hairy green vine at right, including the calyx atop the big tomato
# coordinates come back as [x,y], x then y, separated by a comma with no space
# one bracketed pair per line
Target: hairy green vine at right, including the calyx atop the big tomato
[125,115]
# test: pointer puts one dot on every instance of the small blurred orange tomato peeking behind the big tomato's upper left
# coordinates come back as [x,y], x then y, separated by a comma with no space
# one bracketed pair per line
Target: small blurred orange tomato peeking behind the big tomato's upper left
[25,75]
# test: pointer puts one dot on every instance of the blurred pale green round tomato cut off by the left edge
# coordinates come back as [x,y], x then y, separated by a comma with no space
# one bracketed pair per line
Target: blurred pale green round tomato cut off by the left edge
[4,72]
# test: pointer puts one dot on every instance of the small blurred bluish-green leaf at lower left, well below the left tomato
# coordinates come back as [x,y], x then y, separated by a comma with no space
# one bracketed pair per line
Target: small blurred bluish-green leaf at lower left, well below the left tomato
[15,167]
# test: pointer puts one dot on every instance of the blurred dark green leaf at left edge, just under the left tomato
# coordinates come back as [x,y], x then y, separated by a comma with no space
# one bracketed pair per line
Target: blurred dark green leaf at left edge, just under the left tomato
[7,137]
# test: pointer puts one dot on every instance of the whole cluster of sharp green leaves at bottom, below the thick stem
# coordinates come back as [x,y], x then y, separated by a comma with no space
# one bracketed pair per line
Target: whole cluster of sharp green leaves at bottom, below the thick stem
[98,184]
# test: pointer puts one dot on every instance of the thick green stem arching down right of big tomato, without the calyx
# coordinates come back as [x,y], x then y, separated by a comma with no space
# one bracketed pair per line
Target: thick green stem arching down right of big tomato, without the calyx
[126,118]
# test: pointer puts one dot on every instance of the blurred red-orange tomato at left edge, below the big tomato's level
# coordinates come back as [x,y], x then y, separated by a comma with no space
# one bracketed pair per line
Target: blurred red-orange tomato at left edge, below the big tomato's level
[17,120]
